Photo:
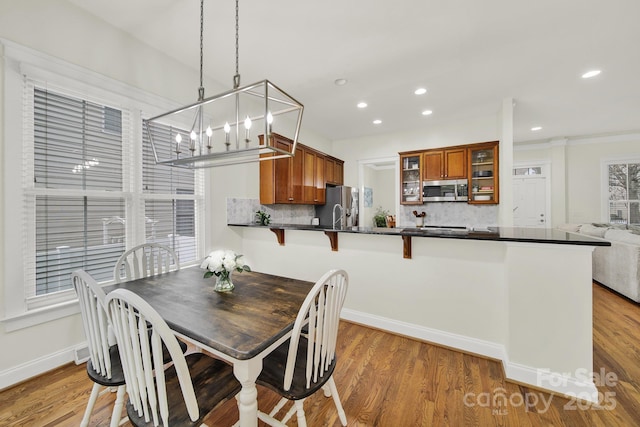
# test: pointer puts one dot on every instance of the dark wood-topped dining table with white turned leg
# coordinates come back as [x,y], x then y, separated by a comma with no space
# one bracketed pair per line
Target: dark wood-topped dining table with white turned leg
[242,326]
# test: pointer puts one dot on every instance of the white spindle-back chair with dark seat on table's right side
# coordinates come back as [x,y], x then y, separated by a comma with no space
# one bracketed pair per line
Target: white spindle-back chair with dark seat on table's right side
[305,363]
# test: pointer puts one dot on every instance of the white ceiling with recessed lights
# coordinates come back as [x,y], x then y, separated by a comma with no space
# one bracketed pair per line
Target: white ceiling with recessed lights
[470,55]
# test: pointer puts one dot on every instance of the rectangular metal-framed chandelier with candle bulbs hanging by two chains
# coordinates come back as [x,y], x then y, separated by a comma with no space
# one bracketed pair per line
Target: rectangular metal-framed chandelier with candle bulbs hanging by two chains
[223,129]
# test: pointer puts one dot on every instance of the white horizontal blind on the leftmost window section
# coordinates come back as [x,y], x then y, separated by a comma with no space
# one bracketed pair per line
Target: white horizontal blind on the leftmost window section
[76,191]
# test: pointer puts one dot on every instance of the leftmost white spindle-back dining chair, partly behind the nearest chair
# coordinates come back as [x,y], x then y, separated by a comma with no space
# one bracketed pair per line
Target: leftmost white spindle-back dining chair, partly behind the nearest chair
[104,367]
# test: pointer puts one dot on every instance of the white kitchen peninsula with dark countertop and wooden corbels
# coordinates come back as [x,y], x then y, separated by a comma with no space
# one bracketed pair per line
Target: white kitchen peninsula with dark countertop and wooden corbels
[515,294]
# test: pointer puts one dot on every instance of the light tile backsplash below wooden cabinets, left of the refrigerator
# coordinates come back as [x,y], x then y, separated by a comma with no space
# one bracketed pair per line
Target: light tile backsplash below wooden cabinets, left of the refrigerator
[242,211]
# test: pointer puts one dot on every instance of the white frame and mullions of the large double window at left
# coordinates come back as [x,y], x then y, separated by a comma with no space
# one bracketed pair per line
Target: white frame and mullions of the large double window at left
[19,64]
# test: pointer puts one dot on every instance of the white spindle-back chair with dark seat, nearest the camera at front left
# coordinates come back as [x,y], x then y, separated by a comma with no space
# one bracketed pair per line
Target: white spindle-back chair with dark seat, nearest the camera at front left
[183,394]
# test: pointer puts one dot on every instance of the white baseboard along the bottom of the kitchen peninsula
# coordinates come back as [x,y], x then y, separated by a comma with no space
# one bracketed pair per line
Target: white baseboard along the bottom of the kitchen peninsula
[556,383]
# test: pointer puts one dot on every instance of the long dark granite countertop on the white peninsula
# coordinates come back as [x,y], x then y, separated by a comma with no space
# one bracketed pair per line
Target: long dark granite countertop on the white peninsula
[509,234]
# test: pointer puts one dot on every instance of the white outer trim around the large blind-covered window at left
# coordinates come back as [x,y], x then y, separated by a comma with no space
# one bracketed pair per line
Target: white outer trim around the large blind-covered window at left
[18,62]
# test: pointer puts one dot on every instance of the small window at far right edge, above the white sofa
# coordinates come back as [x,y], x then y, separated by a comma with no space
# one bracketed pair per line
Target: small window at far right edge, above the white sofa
[624,193]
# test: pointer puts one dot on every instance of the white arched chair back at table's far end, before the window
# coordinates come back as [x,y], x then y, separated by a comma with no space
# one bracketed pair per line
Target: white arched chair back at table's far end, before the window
[146,260]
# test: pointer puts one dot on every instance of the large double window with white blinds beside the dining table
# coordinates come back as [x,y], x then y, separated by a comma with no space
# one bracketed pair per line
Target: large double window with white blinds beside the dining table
[82,197]
